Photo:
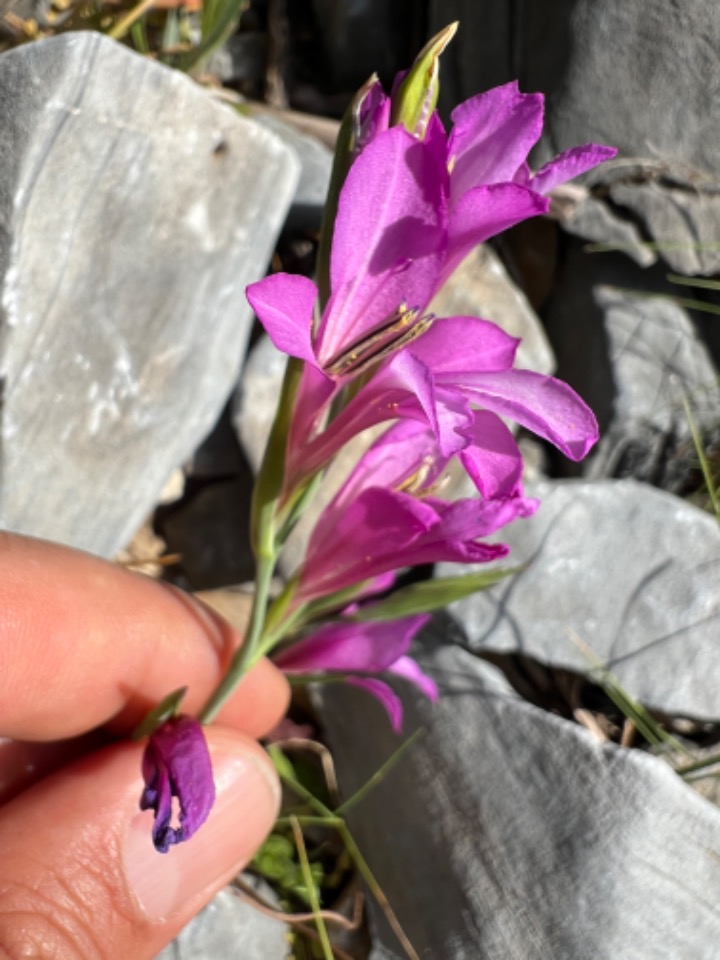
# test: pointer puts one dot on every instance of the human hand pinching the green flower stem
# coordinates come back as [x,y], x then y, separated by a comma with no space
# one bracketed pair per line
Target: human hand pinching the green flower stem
[86,649]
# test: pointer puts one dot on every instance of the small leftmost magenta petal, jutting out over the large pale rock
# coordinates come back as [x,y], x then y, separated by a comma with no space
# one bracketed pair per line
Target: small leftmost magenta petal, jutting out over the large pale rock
[284,305]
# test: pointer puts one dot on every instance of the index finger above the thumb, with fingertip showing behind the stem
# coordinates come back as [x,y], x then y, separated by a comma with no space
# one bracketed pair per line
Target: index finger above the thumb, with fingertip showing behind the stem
[83,642]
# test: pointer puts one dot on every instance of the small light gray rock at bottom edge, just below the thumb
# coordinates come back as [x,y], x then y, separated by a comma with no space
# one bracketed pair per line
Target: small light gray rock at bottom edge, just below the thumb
[227,929]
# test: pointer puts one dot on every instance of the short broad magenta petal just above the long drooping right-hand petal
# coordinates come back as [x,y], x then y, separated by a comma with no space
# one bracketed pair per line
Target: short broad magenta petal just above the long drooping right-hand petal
[453,344]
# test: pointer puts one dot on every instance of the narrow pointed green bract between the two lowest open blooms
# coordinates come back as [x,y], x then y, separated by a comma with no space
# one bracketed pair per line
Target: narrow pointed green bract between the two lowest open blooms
[432,594]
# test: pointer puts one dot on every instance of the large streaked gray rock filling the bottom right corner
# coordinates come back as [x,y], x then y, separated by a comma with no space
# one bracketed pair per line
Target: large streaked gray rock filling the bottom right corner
[506,832]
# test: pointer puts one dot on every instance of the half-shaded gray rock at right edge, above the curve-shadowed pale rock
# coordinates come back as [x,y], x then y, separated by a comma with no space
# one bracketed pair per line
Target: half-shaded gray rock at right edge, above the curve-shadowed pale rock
[632,351]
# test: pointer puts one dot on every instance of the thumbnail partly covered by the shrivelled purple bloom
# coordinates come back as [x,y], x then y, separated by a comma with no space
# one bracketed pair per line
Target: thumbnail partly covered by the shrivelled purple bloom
[246,805]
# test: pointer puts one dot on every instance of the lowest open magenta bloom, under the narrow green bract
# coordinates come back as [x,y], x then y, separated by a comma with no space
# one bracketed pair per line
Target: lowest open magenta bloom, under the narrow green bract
[364,647]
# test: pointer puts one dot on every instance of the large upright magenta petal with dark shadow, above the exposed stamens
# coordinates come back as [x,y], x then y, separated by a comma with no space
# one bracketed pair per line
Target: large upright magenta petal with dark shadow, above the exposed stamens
[389,239]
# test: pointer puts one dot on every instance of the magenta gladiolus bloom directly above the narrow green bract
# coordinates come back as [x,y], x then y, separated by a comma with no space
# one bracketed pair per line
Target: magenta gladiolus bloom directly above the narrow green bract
[385,516]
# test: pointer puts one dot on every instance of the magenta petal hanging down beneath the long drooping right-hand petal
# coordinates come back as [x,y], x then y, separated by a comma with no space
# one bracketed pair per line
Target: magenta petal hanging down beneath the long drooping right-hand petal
[492,460]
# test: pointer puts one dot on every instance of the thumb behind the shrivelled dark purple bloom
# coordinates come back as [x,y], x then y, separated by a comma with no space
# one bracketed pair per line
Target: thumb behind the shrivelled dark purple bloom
[79,875]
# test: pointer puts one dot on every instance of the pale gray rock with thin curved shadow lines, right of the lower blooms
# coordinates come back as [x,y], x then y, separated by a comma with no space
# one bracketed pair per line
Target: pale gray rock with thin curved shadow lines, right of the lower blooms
[627,570]
